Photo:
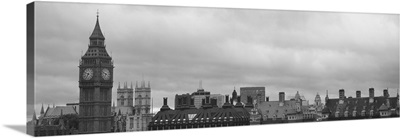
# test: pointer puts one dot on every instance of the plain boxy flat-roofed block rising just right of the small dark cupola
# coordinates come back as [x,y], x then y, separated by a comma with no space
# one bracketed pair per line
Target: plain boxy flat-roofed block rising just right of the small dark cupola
[256,93]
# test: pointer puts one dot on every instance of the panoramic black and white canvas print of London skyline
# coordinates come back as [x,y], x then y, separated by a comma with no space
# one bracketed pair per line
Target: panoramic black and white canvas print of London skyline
[108,68]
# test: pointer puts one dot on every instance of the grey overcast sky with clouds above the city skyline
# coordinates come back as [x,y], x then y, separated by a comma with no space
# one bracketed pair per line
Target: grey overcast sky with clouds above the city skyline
[175,47]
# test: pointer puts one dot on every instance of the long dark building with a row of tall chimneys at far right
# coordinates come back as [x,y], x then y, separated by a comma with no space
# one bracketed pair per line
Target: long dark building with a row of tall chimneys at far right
[343,108]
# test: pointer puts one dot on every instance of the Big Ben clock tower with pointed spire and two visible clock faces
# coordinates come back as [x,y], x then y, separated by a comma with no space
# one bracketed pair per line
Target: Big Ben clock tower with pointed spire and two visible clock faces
[95,85]
